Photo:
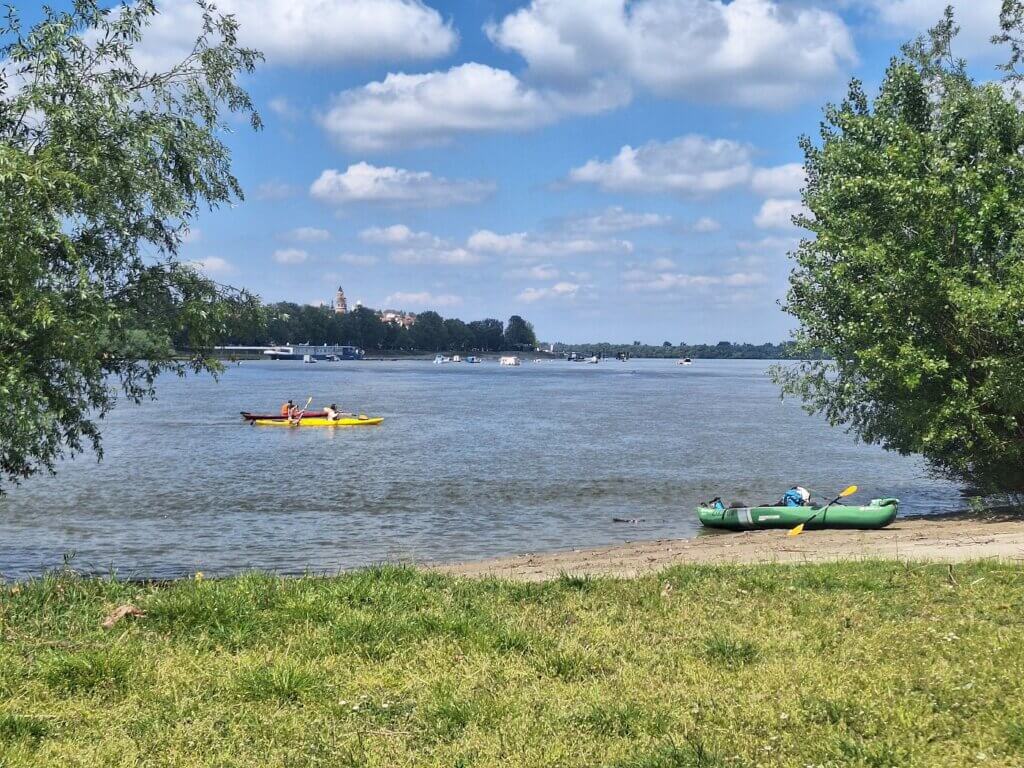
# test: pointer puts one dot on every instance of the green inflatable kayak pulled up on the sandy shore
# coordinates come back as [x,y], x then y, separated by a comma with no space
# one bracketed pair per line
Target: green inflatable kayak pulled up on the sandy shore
[878,515]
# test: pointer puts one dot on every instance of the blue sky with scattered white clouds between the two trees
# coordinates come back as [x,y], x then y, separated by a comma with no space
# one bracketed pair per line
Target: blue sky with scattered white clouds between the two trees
[613,170]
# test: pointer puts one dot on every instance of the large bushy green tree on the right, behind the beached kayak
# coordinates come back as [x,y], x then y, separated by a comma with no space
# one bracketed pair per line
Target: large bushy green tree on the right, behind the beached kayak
[914,279]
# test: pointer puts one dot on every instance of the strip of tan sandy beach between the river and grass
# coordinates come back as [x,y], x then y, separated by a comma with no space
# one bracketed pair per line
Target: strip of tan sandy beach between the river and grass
[949,539]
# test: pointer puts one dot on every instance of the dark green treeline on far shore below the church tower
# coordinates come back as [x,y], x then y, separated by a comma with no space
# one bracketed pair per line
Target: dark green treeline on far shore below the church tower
[365,328]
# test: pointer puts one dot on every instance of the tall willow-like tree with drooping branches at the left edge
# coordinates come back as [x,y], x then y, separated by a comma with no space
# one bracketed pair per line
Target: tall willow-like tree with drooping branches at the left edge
[103,165]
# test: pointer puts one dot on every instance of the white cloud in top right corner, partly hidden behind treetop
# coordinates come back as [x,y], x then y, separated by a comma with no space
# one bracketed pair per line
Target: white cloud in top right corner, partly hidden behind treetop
[978,20]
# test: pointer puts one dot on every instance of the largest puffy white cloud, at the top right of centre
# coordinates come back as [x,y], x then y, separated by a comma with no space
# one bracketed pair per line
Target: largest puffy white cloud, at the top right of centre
[751,53]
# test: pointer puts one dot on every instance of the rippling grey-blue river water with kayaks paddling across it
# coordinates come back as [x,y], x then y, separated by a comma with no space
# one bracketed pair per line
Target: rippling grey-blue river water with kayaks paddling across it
[472,462]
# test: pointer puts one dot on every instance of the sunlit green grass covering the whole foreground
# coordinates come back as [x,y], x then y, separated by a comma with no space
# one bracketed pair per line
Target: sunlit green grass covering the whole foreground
[872,664]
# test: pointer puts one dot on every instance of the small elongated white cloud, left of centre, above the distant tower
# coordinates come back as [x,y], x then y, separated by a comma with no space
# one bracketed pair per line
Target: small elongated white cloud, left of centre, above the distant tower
[368,184]
